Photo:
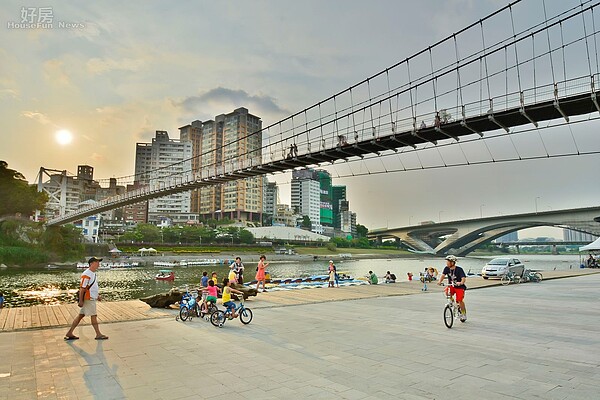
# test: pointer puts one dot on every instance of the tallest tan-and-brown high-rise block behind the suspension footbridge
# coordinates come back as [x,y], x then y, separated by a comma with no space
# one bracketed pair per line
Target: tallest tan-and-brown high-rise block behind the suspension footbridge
[231,140]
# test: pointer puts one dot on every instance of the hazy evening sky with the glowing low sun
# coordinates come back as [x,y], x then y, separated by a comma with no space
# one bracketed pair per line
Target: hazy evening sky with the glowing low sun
[88,92]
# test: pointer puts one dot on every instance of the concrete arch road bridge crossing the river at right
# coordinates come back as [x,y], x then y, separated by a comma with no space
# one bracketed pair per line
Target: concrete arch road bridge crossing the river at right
[462,237]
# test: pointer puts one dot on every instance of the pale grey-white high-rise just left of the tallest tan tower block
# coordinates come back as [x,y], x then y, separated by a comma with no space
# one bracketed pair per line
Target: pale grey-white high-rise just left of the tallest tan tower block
[156,164]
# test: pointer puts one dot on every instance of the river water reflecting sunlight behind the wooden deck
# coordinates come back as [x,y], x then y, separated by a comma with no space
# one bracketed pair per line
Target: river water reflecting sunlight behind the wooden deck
[29,286]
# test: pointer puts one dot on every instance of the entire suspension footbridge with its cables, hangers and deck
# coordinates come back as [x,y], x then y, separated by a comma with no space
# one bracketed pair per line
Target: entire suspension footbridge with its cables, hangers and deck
[483,82]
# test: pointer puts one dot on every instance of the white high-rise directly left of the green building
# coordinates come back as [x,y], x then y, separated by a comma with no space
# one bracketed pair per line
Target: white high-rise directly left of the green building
[306,195]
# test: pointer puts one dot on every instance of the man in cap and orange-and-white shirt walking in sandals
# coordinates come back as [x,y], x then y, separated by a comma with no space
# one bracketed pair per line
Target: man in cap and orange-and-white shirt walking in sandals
[88,296]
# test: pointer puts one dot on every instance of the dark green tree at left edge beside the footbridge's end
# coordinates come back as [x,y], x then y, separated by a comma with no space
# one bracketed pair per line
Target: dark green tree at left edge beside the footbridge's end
[16,195]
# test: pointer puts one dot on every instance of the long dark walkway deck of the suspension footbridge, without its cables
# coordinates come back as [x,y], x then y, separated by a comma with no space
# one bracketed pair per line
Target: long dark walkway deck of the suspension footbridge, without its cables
[571,105]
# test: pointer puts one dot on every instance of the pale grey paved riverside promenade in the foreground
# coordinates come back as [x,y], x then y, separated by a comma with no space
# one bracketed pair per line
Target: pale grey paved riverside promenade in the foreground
[527,341]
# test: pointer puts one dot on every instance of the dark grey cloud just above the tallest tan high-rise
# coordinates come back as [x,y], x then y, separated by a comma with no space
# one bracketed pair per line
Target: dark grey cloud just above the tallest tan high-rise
[221,98]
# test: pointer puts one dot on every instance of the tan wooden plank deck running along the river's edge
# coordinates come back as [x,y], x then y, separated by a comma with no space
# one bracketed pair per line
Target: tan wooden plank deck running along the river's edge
[40,316]
